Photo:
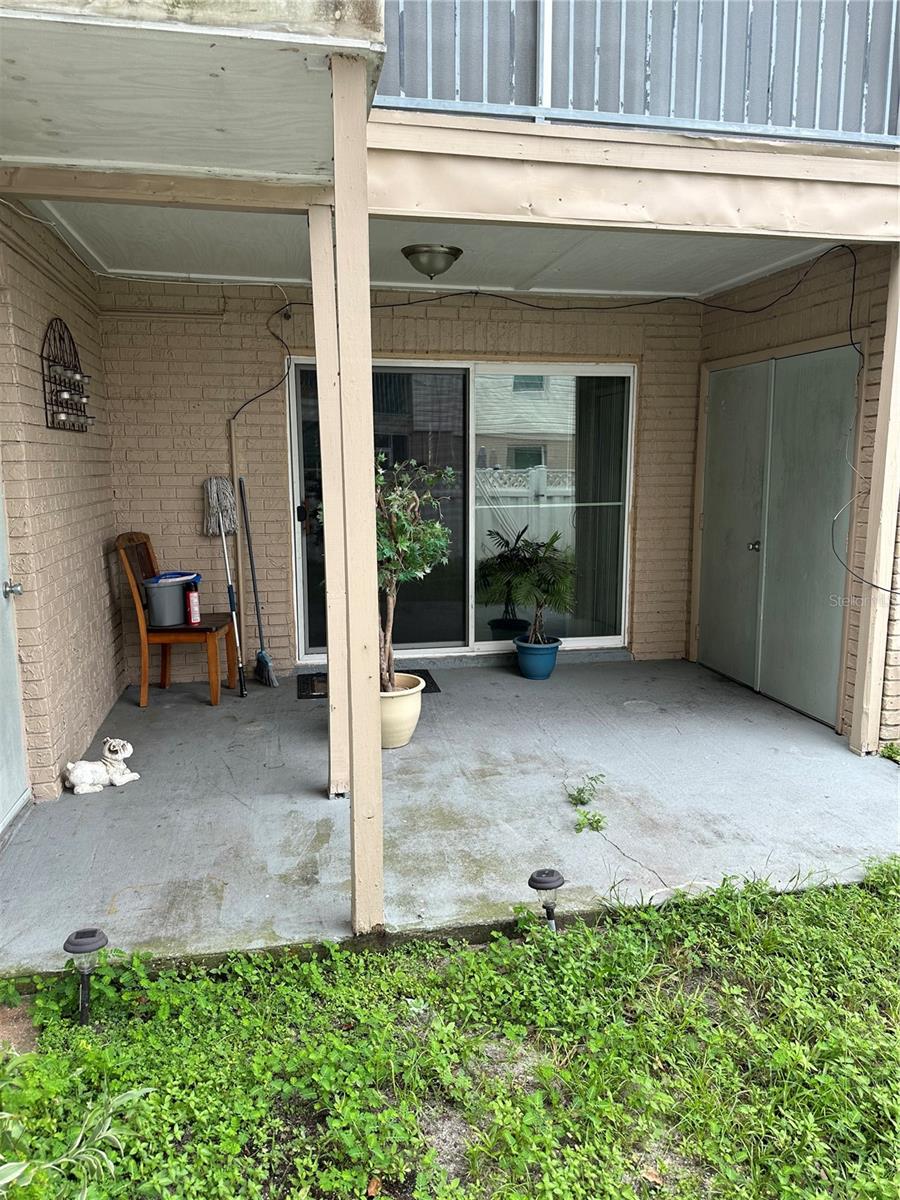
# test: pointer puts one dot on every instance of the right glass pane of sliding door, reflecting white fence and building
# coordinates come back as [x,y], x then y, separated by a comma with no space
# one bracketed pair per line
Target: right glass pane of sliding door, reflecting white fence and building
[551,454]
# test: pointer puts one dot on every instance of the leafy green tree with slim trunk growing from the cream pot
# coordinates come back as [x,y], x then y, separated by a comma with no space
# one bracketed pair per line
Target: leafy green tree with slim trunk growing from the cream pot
[410,544]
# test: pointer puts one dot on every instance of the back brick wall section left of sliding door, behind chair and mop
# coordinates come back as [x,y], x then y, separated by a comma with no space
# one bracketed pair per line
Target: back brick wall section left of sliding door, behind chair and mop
[173,379]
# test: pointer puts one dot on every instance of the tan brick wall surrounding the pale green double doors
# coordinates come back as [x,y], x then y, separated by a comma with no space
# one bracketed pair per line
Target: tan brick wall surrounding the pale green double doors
[820,309]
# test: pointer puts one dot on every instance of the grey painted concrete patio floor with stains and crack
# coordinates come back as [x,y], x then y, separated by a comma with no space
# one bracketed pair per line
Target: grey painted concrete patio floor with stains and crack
[229,841]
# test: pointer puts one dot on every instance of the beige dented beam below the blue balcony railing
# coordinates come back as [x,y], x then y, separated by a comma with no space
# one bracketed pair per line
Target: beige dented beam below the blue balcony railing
[479,171]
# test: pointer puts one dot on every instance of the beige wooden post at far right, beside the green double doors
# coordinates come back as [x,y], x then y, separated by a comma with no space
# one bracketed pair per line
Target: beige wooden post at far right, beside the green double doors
[881,537]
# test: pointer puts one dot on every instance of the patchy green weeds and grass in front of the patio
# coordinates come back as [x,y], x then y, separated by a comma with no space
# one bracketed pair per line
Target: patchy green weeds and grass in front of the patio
[742,1045]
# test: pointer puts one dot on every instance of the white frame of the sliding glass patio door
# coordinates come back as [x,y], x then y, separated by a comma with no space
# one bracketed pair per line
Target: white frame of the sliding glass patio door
[473,369]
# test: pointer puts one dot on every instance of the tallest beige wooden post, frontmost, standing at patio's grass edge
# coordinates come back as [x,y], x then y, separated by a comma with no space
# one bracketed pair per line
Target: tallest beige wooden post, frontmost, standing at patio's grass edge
[355,346]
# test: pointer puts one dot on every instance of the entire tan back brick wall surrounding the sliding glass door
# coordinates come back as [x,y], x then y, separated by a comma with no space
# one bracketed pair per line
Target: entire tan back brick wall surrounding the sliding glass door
[181,359]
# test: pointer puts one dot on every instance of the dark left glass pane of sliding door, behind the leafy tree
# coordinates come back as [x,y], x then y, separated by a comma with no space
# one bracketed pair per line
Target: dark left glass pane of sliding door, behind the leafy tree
[419,413]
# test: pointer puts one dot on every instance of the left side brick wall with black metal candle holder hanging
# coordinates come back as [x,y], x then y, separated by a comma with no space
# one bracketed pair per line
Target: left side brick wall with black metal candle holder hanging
[59,507]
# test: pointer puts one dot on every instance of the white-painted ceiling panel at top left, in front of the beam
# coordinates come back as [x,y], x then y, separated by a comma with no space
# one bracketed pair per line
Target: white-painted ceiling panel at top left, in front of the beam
[111,97]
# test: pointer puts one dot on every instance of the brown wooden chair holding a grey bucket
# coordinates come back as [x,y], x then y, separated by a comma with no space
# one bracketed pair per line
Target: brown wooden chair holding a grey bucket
[136,554]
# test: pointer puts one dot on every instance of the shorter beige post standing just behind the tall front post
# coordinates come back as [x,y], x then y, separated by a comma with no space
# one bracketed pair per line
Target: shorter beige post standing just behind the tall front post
[328,375]
